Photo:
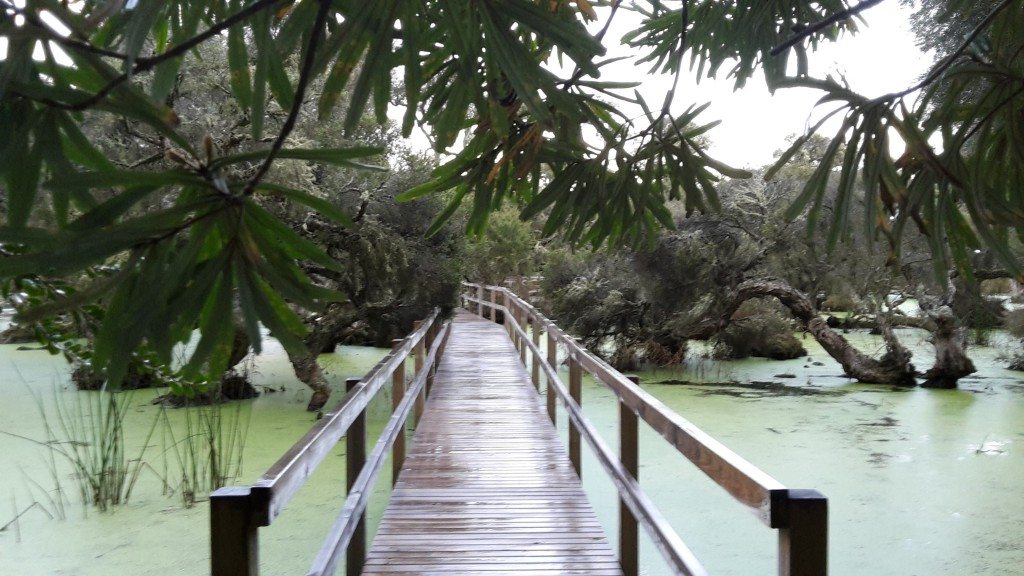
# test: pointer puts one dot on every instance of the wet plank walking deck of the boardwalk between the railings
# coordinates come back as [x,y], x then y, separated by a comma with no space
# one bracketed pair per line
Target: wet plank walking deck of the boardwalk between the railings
[488,487]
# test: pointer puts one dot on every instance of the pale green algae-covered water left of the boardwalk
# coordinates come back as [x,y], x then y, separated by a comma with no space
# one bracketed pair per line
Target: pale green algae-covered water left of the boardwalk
[155,533]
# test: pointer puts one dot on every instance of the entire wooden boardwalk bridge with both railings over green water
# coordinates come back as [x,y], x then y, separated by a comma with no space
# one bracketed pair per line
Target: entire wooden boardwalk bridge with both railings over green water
[487,487]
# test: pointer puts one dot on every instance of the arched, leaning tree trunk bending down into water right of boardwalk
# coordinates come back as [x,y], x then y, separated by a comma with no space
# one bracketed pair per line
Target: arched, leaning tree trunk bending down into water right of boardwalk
[893,368]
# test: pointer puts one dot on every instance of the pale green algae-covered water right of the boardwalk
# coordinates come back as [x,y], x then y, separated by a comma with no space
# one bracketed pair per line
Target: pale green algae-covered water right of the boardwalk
[919,482]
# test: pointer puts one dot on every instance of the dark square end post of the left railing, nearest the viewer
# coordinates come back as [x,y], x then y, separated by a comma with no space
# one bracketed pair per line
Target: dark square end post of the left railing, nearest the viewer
[234,538]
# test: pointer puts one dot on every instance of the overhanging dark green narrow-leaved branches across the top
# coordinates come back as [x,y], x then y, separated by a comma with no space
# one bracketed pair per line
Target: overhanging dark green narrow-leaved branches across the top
[510,92]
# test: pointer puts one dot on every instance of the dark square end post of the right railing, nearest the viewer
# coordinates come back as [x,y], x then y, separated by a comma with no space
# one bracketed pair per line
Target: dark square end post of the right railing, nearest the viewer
[803,543]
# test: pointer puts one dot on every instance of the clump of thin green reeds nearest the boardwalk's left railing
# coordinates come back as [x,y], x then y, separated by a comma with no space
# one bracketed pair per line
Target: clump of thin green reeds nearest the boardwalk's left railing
[205,446]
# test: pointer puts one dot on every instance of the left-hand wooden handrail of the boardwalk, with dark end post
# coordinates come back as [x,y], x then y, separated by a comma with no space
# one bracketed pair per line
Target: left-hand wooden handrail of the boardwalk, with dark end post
[237,513]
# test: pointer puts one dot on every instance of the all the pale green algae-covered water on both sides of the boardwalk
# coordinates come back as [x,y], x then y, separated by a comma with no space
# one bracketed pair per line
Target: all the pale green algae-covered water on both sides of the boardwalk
[920,482]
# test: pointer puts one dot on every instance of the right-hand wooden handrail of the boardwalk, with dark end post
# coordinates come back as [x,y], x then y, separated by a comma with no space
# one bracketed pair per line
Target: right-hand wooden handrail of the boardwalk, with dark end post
[801,516]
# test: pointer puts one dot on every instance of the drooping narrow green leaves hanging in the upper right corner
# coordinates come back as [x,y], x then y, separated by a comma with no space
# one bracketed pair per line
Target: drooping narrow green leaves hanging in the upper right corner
[962,194]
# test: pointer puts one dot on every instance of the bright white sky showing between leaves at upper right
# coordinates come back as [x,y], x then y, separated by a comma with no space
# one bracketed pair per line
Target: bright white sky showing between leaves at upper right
[881,58]
